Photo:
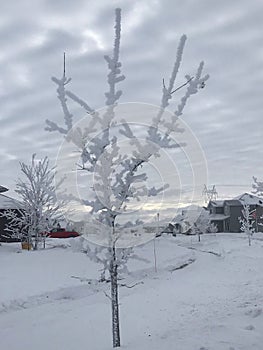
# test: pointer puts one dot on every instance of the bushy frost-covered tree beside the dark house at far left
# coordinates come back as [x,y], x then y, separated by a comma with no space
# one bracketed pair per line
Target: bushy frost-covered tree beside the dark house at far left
[37,208]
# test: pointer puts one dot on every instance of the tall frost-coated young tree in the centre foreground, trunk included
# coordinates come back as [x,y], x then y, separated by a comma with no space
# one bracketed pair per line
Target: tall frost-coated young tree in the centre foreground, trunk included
[117,177]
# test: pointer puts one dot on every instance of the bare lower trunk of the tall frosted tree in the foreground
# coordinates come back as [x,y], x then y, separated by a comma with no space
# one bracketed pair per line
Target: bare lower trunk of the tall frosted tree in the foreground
[115,301]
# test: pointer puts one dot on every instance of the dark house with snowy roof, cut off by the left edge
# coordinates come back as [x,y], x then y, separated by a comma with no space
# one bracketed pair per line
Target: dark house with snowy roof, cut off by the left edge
[5,203]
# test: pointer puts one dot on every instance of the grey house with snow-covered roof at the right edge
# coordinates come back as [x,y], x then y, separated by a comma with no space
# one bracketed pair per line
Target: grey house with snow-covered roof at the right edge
[225,213]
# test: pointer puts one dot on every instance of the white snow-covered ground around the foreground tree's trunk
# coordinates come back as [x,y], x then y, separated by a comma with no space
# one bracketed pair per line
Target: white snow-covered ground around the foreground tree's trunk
[51,299]
